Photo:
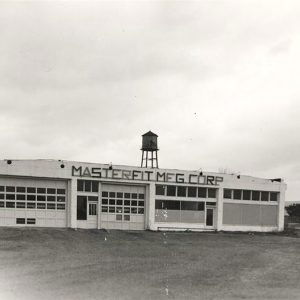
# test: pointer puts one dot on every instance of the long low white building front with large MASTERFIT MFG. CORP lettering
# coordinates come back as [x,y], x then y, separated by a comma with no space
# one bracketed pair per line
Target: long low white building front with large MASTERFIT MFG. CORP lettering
[50,193]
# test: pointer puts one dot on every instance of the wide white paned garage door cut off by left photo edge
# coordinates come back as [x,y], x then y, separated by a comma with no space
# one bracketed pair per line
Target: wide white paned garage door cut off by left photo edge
[33,202]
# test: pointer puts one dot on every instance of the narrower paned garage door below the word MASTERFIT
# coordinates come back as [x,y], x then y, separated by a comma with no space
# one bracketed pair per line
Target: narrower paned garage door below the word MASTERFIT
[123,207]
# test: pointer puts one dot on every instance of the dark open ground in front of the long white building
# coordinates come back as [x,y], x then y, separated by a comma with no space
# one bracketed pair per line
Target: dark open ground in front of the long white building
[90,264]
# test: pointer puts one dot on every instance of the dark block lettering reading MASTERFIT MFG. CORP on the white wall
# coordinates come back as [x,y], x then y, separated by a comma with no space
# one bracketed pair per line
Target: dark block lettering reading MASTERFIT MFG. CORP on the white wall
[155,175]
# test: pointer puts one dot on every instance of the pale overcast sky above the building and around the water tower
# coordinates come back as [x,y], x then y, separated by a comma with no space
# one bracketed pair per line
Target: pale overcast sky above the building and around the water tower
[218,81]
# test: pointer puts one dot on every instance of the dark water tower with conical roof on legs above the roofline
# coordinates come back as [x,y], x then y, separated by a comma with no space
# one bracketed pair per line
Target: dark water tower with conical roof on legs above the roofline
[149,148]
